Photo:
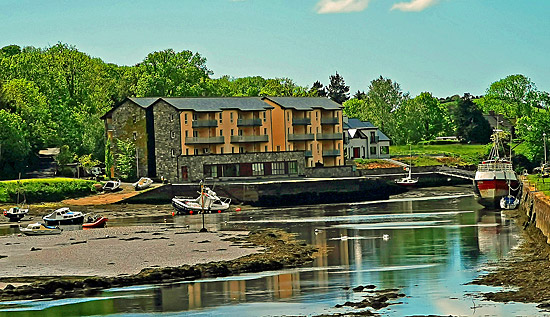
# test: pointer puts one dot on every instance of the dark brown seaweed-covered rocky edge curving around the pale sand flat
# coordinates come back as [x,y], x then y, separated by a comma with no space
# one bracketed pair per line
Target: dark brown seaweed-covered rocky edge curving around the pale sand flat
[281,250]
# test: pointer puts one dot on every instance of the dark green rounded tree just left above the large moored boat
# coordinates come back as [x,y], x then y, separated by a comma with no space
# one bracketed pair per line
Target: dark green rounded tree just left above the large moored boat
[470,123]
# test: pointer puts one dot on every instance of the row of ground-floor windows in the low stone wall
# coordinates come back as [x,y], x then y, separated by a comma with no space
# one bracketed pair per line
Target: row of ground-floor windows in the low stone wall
[251,169]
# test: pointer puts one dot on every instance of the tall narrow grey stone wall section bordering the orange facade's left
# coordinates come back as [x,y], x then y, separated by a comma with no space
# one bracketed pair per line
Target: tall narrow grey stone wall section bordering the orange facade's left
[167,140]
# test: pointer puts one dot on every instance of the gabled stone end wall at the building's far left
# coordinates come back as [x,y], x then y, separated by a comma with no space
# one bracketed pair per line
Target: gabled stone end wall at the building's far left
[129,123]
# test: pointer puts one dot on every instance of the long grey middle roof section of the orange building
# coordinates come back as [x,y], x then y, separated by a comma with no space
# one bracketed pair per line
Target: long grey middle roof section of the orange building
[218,104]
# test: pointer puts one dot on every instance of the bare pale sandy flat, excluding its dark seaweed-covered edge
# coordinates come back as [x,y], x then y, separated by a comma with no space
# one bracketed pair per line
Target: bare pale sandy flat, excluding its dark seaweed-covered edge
[114,251]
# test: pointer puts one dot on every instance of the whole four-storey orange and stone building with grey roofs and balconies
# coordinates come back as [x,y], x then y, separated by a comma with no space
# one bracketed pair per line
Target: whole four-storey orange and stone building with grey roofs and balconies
[193,138]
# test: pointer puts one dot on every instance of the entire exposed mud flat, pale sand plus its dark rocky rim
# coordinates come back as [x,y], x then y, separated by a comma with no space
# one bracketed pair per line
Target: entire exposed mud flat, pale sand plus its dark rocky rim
[82,263]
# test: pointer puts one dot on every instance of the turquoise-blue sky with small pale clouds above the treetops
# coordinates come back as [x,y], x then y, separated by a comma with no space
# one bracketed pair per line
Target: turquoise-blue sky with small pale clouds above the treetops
[445,47]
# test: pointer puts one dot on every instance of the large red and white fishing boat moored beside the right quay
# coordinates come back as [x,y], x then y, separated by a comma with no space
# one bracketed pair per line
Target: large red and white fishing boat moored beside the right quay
[495,177]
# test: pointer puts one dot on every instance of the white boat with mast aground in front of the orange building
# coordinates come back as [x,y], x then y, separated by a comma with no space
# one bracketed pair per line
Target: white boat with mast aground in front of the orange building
[207,202]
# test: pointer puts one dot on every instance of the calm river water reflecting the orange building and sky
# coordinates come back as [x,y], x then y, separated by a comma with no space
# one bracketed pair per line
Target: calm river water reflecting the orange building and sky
[428,243]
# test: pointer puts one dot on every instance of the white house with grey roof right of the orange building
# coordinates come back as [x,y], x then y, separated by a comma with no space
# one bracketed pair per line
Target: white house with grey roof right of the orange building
[364,140]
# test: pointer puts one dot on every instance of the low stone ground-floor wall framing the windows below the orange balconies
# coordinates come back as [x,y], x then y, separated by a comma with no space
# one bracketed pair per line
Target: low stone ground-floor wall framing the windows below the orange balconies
[195,163]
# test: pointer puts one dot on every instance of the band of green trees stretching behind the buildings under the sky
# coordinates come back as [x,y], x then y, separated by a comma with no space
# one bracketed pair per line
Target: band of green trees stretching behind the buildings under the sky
[55,96]
